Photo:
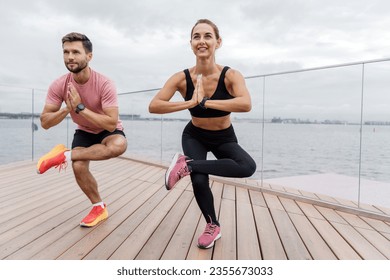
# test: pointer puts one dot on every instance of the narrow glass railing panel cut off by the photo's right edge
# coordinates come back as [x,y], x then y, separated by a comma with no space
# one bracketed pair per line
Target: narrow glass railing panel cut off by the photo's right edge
[375,175]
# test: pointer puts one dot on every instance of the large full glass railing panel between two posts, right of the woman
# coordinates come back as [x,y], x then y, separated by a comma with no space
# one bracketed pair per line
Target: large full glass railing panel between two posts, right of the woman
[311,135]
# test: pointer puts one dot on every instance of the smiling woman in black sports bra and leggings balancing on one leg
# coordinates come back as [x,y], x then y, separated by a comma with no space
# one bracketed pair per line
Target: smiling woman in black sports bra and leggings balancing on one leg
[211,92]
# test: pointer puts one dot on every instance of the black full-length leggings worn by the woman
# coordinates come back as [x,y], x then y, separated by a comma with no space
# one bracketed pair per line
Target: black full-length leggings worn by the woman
[232,161]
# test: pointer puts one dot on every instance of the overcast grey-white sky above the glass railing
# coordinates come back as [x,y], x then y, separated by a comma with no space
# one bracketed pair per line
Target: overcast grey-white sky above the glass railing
[139,44]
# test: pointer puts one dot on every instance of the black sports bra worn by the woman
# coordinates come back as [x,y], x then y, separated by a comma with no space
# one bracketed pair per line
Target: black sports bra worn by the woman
[220,93]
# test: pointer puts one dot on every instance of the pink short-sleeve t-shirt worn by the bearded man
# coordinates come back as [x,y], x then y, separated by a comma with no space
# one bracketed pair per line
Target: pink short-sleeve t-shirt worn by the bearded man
[97,93]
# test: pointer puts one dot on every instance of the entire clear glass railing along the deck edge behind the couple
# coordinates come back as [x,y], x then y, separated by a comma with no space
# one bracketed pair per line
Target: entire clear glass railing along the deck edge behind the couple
[303,130]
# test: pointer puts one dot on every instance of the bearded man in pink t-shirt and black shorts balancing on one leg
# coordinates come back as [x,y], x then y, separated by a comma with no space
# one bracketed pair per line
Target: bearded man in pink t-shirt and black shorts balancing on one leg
[91,101]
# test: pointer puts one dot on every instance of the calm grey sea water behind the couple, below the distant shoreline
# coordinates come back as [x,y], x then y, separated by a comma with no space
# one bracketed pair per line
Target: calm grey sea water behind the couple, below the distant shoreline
[279,149]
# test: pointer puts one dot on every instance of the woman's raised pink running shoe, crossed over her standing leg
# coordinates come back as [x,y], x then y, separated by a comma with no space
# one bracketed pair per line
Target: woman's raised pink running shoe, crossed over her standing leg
[176,171]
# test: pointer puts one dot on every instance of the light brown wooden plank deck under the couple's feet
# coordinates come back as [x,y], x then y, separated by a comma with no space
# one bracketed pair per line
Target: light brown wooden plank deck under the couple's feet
[41,213]
